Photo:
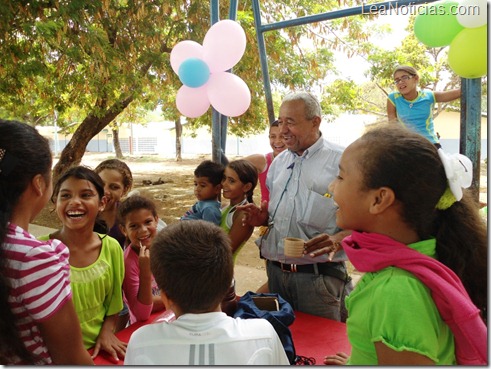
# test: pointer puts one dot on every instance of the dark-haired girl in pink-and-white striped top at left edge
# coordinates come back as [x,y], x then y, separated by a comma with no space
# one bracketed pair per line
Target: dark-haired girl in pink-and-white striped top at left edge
[39,324]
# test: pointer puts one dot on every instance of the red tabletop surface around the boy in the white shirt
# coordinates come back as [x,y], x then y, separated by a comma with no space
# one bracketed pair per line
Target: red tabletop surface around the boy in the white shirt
[313,336]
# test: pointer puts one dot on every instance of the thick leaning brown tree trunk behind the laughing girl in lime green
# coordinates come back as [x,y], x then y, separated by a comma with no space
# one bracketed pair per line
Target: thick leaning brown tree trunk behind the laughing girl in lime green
[74,151]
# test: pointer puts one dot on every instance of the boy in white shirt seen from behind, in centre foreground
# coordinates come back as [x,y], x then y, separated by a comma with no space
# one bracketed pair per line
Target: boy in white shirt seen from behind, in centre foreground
[192,264]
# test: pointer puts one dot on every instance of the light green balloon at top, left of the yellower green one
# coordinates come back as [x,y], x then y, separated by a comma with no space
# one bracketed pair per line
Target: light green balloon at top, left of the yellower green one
[436,24]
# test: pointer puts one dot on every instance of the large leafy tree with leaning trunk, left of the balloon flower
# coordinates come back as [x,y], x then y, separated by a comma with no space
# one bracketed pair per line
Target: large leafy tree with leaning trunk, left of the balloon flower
[91,58]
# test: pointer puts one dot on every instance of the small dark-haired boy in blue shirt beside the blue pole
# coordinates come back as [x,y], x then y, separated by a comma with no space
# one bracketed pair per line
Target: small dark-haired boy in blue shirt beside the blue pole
[208,176]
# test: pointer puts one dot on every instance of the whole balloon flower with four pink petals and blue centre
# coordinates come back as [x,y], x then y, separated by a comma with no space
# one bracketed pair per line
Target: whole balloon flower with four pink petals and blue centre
[202,70]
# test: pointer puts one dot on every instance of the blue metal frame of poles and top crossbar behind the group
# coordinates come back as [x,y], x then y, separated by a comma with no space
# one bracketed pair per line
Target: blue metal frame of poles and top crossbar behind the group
[470,116]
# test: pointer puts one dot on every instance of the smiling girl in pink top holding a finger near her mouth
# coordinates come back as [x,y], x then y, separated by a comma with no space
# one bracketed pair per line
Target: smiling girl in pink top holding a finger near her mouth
[138,221]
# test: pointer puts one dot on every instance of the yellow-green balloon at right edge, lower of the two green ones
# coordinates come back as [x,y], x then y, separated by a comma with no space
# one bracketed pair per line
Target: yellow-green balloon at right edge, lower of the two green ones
[467,55]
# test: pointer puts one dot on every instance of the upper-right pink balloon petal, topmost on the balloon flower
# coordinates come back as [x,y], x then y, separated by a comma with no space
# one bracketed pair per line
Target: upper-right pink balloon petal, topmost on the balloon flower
[224,45]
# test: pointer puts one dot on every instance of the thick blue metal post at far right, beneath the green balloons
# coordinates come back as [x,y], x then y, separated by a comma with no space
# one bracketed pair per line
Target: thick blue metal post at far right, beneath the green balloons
[470,128]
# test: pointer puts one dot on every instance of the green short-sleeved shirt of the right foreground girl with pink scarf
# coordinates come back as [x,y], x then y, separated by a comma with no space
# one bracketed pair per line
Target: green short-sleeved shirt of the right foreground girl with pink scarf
[394,307]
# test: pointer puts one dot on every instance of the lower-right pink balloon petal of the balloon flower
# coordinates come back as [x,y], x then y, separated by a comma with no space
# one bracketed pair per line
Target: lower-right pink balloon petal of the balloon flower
[228,94]
